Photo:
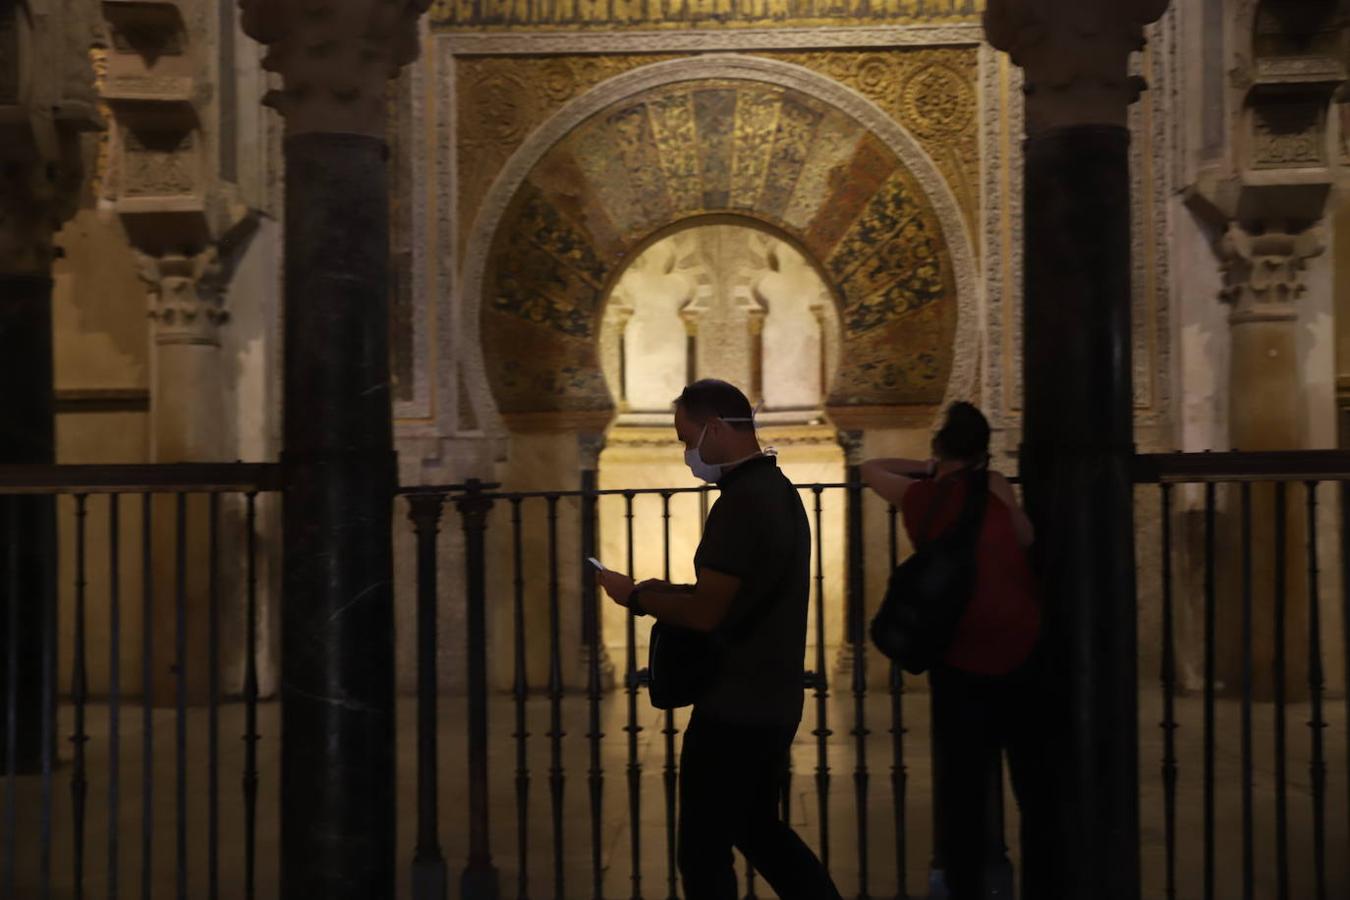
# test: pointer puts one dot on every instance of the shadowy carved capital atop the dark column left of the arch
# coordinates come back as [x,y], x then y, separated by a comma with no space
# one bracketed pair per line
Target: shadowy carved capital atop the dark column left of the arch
[334,57]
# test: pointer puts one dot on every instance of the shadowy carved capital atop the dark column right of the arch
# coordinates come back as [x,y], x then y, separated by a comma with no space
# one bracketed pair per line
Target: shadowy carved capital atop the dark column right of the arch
[1075,55]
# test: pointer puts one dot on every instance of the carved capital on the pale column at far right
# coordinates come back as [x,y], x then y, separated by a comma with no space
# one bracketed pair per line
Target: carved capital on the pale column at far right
[1263,273]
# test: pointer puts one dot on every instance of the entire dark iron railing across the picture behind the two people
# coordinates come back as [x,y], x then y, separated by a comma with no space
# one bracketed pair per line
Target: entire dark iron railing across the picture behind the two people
[1287,836]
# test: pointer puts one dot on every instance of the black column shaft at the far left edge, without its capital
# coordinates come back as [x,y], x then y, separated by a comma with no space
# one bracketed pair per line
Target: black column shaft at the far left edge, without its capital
[28,524]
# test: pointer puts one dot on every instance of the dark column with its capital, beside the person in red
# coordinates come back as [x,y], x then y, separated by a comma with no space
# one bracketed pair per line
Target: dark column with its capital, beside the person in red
[1078,431]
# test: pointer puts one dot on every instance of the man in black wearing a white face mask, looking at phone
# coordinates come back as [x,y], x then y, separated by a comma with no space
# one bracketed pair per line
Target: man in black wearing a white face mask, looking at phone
[754,584]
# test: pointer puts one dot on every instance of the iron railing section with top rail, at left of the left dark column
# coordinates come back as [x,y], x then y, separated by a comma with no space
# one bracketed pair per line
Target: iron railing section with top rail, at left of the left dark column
[29,500]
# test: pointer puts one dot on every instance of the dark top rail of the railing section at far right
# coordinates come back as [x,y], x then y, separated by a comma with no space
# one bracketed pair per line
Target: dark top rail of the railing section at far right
[1237,466]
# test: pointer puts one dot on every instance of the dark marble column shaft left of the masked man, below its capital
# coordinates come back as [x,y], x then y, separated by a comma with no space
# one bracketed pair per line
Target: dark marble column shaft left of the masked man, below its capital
[338,652]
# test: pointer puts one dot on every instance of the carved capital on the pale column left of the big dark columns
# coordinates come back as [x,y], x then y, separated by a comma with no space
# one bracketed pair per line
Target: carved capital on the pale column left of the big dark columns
[187,298]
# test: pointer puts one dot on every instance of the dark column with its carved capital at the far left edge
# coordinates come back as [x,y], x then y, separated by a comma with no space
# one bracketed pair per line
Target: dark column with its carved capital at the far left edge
[47,102]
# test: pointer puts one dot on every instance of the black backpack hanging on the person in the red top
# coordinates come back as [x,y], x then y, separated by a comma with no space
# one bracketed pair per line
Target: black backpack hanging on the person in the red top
[929,592]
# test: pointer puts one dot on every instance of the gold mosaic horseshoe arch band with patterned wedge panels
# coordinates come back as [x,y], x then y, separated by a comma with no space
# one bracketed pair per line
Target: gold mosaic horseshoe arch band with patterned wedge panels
[718,148]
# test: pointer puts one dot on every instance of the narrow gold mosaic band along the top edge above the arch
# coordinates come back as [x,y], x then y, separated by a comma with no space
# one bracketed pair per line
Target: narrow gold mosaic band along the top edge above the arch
[610,16]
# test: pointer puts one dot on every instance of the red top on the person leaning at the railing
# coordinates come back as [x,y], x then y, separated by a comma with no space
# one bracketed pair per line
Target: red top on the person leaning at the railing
[1002,623]
